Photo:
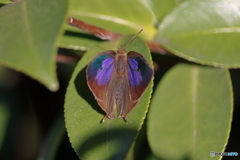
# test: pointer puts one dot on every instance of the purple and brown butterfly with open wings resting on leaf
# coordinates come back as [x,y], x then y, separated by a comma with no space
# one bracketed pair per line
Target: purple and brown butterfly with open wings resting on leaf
[118,80]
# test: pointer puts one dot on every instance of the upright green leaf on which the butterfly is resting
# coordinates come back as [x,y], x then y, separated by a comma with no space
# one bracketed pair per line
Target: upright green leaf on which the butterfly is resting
[90,138]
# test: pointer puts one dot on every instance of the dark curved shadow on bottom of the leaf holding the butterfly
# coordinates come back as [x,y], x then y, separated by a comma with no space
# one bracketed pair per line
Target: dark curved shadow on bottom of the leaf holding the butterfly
[114,144]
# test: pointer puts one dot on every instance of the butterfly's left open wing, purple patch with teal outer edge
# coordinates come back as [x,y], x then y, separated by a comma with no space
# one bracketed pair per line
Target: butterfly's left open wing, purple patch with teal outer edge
[99,74]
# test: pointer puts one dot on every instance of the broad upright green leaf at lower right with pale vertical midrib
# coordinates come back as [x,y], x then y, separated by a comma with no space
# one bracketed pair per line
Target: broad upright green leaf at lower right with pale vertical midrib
[191,113]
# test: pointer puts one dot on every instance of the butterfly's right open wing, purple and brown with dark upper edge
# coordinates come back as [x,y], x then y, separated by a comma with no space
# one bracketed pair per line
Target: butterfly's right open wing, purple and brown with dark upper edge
[139,76]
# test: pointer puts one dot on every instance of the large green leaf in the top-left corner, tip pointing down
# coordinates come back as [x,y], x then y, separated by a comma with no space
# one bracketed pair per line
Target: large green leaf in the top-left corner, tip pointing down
[30,30]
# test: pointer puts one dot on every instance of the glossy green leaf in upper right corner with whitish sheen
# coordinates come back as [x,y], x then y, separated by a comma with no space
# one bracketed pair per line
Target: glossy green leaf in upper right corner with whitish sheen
[205,32]
